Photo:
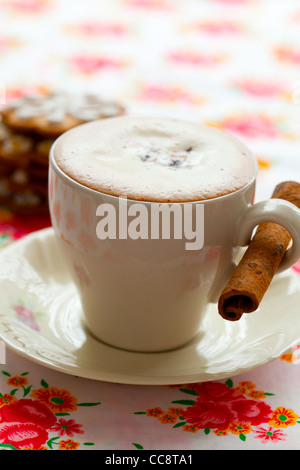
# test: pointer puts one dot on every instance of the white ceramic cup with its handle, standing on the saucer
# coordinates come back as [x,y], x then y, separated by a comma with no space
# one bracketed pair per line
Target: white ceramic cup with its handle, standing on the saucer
[151,294]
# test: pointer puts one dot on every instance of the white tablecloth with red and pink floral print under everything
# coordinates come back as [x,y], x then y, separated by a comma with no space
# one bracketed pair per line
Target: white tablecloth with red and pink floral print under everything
[233,64]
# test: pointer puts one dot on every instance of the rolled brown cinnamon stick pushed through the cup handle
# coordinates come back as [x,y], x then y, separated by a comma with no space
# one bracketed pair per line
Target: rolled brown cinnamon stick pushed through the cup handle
[253,275]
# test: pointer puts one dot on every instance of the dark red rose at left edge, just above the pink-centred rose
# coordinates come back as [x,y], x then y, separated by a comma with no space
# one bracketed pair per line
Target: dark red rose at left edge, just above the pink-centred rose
[27,411]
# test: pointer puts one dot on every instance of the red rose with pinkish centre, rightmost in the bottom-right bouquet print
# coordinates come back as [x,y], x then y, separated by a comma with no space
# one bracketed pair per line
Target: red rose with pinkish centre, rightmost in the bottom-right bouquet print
[251,411]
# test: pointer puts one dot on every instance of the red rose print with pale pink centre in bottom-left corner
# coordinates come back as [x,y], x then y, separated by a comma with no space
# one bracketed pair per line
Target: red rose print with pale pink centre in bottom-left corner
[23,435]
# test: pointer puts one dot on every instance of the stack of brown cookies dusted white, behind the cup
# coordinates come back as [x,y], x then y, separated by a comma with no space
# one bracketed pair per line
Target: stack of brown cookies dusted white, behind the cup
[28,128]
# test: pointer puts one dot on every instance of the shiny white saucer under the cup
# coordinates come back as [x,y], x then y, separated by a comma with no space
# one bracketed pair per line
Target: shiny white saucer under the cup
[41,319]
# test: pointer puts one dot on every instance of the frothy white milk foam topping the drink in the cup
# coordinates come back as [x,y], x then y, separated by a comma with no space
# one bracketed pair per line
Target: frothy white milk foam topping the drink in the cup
[154,159]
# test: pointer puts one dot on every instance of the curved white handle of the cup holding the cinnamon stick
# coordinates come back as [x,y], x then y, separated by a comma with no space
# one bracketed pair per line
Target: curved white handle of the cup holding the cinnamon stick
[273,210]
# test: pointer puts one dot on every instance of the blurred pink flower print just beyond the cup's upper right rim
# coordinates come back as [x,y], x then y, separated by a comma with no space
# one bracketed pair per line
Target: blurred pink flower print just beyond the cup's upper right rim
[258,126]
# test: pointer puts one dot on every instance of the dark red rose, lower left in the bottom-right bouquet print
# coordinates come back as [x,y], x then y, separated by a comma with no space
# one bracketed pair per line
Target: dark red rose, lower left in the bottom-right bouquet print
[209,415]
